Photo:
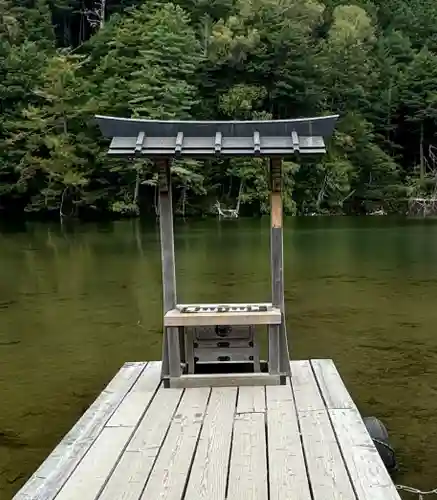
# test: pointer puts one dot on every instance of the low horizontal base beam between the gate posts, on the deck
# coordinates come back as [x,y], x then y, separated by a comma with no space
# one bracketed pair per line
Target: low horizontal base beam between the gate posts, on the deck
[224,380]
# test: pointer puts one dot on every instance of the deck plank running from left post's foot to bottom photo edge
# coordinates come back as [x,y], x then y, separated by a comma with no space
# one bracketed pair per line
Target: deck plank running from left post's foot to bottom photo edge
[130,476]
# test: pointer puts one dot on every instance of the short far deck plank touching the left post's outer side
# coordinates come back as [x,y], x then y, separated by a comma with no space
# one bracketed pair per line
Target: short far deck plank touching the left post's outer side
[136,401]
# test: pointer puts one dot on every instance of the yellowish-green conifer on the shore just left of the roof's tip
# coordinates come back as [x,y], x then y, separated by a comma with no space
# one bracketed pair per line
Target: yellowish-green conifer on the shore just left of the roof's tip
[52,138]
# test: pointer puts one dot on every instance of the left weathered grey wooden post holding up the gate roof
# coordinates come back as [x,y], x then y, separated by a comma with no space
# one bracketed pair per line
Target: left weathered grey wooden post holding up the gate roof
[171,364]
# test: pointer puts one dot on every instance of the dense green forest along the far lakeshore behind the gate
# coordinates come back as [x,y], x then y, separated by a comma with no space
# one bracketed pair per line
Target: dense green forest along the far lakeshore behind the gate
[62,61]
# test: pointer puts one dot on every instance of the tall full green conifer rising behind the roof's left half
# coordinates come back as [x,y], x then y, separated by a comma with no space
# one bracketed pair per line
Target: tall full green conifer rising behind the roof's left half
[150,71]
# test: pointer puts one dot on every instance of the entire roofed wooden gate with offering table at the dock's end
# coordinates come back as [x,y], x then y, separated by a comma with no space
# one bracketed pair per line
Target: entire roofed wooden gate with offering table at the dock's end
[211,334]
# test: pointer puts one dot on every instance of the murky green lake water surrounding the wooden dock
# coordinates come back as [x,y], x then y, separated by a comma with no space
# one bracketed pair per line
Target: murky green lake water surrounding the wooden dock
[77,303]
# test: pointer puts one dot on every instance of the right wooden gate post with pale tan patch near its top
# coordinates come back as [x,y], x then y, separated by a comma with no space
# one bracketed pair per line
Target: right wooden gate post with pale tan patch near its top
[278,348]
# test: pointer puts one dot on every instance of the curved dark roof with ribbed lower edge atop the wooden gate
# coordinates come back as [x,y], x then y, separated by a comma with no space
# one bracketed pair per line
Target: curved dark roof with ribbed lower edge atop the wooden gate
[154,138]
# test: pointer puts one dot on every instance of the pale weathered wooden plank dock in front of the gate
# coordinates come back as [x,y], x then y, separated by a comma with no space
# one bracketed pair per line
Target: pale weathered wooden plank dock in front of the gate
[139,441]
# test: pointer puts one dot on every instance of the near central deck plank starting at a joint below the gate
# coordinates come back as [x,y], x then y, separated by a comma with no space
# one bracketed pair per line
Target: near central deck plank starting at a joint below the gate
[248,467]
